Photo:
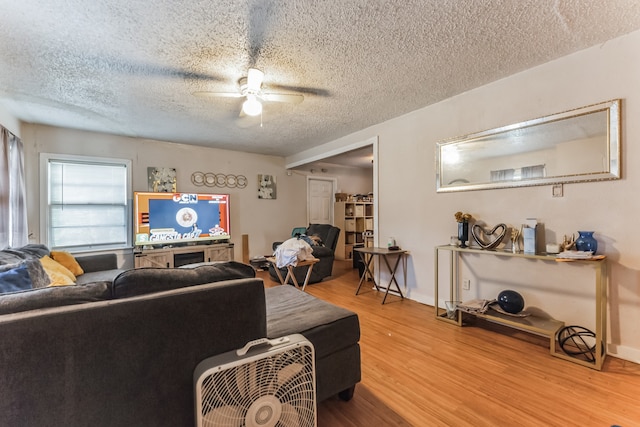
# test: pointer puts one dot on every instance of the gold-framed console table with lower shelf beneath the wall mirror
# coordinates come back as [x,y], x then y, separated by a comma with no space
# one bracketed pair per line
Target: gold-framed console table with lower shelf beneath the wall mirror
[532,324]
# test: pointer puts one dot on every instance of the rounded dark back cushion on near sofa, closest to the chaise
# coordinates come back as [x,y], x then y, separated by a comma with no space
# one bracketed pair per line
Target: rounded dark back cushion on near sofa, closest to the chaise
[141,281]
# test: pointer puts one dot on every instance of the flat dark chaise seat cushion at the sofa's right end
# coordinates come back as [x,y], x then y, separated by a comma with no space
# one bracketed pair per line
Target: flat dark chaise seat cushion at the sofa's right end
[328,327]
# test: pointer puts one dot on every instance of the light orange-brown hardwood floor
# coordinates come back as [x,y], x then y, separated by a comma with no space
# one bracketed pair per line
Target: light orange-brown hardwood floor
[417,371]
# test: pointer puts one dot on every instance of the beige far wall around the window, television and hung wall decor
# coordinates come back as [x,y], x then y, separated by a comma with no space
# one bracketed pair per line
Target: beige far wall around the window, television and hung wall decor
[265,221]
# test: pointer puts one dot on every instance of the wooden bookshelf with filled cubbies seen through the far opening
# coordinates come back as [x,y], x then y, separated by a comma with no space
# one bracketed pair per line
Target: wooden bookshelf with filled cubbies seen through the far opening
[353,219]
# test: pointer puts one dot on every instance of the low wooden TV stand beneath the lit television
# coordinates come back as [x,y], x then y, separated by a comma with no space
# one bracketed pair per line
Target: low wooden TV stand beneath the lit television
[182,255]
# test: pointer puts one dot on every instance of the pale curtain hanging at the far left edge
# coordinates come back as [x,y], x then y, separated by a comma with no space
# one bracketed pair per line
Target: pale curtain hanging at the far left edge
[13,206]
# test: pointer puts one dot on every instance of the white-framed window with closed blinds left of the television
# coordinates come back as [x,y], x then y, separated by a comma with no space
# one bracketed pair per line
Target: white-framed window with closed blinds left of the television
[86,202]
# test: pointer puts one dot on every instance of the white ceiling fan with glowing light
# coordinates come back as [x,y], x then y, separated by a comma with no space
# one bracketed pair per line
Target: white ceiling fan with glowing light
[250,87]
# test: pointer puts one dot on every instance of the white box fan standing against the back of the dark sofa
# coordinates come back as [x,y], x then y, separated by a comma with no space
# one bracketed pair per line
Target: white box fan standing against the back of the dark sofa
[267,383]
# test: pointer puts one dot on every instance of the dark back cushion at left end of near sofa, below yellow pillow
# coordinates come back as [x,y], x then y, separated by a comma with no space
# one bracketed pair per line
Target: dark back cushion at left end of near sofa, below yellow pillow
[53,297]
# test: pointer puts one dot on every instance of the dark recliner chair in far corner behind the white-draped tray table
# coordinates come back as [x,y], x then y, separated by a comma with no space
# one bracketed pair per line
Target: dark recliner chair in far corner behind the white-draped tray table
[325,253]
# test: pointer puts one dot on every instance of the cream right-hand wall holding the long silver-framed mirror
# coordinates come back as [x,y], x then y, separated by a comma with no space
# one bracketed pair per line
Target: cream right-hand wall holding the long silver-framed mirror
[419,218]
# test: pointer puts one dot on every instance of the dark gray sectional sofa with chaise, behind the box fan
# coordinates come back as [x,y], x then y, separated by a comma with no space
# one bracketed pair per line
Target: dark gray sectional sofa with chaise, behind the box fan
[121,351]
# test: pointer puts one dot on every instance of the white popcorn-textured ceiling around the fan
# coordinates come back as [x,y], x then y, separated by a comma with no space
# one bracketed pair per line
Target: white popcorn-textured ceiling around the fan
[131,67]
